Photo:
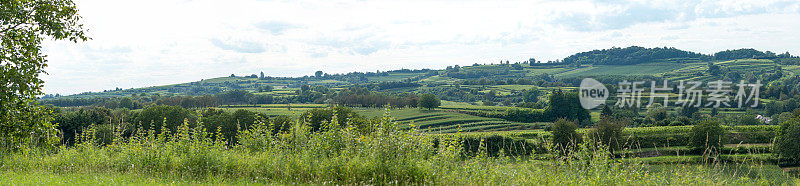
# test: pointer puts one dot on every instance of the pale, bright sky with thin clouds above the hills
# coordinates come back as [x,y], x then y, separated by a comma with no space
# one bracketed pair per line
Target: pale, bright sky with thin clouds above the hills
[159,42]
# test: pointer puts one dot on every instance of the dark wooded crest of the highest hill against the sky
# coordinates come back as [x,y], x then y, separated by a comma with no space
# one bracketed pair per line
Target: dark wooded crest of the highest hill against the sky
[629,55]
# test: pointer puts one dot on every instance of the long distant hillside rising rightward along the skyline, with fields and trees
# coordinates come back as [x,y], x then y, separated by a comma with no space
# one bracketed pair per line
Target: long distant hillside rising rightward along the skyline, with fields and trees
[647,63]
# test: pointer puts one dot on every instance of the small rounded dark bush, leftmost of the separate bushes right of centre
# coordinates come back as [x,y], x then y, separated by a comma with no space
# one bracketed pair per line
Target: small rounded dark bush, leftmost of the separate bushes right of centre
[565,138]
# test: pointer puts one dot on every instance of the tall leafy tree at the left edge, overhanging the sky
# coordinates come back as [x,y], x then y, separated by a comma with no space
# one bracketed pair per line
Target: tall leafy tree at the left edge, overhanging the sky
[25,23]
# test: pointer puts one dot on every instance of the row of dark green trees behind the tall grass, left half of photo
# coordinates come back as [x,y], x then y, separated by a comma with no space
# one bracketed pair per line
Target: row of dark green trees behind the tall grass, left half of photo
[160,119]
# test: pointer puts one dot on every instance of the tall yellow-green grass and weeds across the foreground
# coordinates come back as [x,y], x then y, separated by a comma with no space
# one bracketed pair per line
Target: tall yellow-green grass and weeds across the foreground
[381,153]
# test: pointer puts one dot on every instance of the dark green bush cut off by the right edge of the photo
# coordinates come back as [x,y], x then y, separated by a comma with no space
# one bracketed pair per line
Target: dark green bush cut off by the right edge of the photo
[787,144]
